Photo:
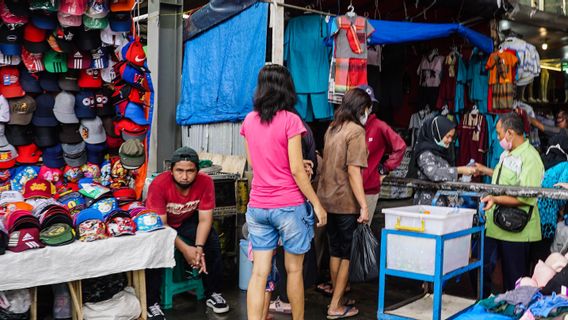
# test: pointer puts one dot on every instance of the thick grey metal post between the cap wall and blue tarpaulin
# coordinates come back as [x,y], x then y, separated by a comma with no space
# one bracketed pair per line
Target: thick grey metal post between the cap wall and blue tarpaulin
[165,28]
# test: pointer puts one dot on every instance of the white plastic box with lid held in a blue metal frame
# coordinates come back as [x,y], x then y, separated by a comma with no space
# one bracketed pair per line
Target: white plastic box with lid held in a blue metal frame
[413,254]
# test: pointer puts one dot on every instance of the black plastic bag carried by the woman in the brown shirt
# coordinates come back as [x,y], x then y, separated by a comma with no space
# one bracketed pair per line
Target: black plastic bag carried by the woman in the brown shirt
[364,264]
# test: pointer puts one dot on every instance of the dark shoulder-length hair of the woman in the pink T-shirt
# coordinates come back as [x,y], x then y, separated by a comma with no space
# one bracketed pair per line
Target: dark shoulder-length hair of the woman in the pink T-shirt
[274,92]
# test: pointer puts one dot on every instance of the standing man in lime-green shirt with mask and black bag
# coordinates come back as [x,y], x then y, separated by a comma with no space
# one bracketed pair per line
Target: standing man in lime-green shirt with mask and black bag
[520,165]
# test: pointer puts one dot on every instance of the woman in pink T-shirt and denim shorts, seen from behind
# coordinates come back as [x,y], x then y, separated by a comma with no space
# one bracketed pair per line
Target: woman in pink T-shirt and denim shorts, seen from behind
[277,207]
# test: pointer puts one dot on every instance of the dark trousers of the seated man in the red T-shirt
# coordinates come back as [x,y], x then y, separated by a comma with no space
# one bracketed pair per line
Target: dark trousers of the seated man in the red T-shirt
[213,260]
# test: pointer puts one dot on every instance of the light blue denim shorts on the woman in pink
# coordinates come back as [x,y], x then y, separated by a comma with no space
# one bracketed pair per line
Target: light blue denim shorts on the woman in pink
[293,225]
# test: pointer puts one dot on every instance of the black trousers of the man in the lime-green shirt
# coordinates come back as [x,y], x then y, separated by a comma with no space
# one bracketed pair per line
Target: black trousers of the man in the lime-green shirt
[514,258]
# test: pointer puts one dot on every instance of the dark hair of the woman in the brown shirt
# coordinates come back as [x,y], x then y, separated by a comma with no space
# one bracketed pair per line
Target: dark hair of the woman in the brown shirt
[352,107]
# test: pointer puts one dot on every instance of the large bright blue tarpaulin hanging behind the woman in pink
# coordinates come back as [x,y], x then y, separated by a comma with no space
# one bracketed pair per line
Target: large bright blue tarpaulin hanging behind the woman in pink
[220,68]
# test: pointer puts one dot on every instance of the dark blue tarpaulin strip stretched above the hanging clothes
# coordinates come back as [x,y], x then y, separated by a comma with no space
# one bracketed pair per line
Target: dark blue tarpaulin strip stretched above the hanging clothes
[388,32]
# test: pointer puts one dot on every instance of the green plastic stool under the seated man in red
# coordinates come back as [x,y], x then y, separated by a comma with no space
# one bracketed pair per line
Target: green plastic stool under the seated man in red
[175,281]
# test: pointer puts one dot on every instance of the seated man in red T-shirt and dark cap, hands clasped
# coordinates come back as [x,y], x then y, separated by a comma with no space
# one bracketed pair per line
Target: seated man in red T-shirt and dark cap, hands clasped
[185,198]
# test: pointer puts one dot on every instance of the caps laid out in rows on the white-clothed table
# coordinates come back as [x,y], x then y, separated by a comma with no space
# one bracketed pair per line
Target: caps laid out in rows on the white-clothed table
[41,217]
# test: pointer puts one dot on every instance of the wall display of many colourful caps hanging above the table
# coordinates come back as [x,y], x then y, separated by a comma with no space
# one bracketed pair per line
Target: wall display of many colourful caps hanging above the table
[74,84]
